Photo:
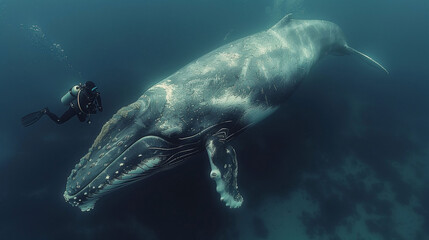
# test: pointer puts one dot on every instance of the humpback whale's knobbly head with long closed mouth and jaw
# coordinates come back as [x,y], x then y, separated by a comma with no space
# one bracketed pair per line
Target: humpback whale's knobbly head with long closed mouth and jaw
[124,152]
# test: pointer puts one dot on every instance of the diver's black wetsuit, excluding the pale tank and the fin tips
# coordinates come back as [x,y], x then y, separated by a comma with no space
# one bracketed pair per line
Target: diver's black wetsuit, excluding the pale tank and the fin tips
[87,102]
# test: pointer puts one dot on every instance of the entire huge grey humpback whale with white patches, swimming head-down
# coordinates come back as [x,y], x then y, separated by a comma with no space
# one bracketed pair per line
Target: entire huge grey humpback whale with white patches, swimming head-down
[202,107]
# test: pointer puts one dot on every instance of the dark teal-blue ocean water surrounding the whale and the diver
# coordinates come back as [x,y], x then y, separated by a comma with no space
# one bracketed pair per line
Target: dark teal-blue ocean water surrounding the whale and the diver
[347,157]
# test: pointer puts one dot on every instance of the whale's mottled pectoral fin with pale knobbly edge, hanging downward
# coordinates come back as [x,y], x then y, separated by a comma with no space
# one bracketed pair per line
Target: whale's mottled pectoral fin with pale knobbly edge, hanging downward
[223,162]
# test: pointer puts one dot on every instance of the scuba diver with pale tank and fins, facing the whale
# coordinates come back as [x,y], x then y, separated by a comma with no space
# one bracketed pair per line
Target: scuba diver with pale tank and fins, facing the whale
[83,100]
